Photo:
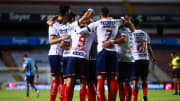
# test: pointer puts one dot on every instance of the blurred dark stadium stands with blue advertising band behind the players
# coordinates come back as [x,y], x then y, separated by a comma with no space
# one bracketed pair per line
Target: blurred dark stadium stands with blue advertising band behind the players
[23,30]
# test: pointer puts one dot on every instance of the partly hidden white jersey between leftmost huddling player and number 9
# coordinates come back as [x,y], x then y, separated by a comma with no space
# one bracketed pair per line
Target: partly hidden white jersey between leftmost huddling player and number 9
[68,43]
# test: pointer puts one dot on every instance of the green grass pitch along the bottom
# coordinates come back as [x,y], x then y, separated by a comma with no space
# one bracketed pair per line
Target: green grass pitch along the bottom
[18,95]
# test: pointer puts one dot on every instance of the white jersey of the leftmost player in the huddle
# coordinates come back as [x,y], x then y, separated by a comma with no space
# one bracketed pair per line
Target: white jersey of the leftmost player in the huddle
[56,29]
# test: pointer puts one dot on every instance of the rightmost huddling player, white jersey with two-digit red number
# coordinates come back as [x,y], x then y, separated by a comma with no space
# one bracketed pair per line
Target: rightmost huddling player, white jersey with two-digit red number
[141,52]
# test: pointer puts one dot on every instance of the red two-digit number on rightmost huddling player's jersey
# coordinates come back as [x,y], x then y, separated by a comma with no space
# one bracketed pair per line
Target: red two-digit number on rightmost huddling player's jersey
[141,48]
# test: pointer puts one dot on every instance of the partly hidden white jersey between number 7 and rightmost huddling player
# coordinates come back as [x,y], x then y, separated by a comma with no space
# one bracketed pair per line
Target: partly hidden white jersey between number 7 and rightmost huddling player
[124,49]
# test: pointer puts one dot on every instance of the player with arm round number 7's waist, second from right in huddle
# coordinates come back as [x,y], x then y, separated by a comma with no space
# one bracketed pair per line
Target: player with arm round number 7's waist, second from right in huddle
[125,61]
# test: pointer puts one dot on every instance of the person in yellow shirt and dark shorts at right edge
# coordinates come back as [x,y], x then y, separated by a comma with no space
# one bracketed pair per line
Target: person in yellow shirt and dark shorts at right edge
[176,71]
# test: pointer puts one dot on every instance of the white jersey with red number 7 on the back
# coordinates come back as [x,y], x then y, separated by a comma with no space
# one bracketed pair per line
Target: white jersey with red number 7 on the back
[106,29]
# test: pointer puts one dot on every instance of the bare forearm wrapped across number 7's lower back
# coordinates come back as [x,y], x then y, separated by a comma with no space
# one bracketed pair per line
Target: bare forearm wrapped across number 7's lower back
[116,41]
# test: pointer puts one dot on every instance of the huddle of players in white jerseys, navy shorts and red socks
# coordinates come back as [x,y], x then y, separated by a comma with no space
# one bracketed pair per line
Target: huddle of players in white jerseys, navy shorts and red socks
[109,50]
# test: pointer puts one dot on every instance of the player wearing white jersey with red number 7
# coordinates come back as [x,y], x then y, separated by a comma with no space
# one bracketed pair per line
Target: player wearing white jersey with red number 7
[107,58]
